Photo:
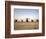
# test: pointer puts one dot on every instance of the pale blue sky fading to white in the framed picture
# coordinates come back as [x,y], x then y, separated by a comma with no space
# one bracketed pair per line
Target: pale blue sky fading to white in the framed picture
[26,13]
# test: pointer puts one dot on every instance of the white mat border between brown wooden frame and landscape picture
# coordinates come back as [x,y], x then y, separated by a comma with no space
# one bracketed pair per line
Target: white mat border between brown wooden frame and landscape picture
[26,31]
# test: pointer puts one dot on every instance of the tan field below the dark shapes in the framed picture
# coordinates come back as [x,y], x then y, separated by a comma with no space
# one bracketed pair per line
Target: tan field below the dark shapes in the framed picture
[25,25]
